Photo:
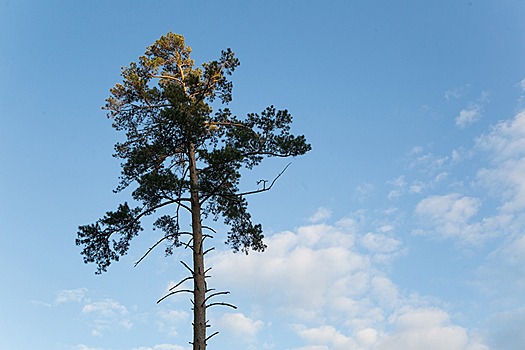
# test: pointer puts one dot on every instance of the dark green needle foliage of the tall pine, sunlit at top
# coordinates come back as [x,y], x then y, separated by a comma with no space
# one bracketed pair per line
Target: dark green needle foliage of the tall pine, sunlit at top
[164,107]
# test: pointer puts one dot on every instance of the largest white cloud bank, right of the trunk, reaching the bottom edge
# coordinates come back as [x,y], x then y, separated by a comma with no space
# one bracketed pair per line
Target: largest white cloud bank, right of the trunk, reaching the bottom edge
[333,295]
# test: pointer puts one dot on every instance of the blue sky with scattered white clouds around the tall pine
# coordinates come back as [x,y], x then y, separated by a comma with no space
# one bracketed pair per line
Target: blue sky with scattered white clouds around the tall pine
[403,228]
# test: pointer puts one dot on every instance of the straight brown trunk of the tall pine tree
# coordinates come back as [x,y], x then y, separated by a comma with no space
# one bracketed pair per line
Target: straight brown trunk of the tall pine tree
[199,283]
